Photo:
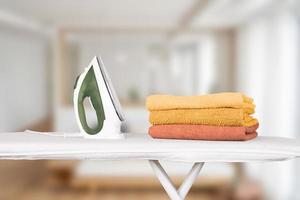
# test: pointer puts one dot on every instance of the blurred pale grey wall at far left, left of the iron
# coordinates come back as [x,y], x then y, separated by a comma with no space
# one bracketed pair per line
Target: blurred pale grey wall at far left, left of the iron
[23,78]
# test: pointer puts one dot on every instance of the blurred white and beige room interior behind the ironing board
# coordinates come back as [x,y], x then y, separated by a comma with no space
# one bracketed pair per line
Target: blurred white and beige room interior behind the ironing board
[181,47]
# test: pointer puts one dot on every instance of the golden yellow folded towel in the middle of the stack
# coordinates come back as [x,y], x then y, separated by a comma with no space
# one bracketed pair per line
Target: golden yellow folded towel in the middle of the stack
[217,116]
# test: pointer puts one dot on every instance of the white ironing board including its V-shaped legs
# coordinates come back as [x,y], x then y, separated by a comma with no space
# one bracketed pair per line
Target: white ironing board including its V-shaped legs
[33,146]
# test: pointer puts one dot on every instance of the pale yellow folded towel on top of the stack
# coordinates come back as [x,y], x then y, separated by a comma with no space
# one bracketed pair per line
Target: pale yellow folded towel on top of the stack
[219,100]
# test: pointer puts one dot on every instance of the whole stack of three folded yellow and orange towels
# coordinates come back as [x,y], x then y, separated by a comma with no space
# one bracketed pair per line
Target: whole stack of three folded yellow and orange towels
[222,116]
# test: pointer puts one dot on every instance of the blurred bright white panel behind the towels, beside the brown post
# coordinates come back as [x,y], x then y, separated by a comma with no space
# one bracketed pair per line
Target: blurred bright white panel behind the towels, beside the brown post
[215,63]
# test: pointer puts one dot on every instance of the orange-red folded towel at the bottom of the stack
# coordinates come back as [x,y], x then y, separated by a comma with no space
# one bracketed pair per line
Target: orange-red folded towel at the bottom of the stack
[203,132]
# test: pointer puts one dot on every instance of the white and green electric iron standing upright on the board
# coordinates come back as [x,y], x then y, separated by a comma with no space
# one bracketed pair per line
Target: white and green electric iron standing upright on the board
[95,84]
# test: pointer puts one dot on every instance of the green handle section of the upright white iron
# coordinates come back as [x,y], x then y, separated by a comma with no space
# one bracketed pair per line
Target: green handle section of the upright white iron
[90,90]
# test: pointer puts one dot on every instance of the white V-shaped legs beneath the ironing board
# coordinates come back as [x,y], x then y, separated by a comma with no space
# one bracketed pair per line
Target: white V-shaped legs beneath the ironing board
[167,184]
